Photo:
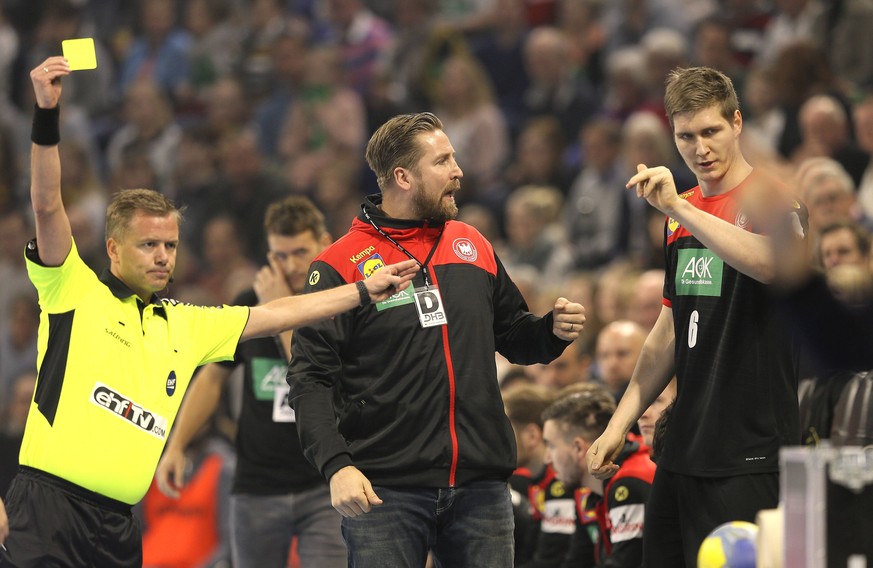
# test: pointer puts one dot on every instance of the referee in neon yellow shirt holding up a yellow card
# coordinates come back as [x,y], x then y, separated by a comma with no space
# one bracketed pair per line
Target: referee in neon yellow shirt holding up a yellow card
[114,360]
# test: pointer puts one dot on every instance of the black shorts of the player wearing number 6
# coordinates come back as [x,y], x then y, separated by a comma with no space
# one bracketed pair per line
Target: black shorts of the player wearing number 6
[682,510]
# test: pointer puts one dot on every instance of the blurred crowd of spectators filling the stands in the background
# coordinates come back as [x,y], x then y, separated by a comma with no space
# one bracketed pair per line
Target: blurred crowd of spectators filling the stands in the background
[227,106]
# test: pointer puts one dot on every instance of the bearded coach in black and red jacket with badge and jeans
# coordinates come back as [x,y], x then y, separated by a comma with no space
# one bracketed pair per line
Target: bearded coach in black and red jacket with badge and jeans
[397,403]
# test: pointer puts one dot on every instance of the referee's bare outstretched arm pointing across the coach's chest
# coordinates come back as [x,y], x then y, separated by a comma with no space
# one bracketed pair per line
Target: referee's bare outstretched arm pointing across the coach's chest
[295,311]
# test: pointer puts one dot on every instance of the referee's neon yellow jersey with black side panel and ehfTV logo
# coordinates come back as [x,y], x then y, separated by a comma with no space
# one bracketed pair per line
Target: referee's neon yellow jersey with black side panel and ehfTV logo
[112,373]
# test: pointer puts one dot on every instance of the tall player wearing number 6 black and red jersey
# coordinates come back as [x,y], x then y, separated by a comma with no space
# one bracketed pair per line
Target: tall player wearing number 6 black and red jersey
[718,330]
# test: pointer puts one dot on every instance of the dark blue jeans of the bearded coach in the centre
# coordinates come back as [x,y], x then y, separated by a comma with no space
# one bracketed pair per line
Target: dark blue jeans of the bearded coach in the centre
[468,526]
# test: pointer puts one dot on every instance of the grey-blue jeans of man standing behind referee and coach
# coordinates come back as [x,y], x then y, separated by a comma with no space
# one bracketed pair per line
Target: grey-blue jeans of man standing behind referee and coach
[262,527]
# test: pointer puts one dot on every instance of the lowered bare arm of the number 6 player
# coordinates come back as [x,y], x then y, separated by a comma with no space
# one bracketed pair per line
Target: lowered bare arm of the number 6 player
[654,369]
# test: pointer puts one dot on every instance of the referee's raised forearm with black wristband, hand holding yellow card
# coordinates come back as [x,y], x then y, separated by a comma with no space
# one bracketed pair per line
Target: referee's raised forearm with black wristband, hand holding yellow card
[53,233]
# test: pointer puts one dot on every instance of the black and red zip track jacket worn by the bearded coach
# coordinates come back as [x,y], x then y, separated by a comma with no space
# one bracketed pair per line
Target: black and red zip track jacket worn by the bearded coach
[408,405]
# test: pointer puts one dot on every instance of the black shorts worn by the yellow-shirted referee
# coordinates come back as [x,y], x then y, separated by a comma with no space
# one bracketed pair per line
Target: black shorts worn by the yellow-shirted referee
[53,522]
